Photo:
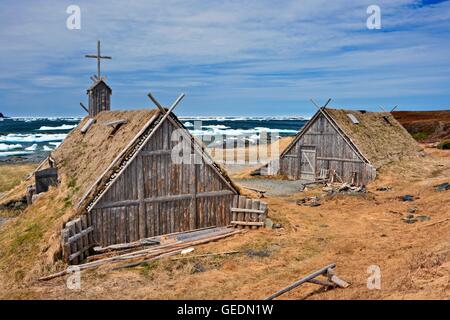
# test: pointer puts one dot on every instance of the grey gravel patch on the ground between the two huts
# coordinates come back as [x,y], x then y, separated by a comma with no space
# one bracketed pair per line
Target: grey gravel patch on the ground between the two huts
[273,187]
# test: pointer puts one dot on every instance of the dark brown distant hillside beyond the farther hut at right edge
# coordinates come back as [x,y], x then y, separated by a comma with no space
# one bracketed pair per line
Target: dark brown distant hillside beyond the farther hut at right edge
[426,126]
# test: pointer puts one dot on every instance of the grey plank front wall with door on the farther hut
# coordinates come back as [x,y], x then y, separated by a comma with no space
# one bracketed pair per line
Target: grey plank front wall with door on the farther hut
[332,152]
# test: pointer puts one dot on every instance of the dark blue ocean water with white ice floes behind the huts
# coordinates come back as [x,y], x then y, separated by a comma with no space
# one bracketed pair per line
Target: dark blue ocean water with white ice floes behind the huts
[34,138]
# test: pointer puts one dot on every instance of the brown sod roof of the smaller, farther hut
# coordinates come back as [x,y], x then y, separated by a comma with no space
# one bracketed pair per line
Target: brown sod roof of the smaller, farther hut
[378,135]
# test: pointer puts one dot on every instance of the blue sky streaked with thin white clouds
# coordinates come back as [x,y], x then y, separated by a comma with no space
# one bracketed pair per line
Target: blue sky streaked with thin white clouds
[230,57]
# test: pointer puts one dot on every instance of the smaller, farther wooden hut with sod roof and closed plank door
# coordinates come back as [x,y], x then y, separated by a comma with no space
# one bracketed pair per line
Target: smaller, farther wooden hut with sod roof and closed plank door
[352,144]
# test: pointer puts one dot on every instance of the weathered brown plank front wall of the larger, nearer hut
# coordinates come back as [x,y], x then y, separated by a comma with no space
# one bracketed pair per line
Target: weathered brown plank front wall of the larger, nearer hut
[155,196]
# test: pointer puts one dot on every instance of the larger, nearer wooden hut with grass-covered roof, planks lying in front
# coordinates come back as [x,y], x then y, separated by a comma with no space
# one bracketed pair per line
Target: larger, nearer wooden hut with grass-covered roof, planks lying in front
[127,187]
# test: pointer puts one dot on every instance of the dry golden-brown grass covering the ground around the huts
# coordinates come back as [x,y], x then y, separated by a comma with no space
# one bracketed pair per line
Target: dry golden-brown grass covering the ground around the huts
[353,231]
